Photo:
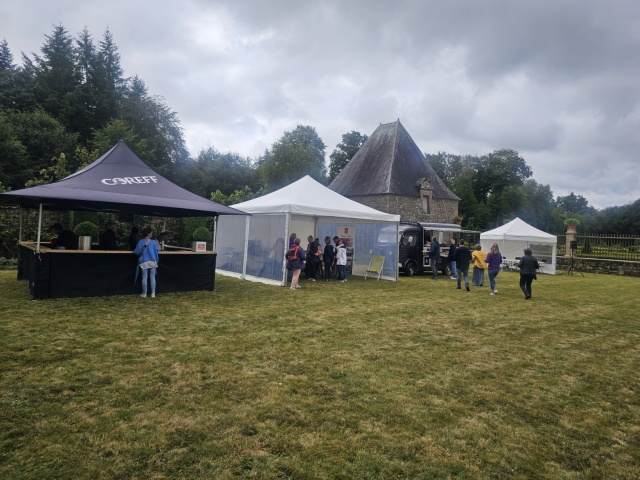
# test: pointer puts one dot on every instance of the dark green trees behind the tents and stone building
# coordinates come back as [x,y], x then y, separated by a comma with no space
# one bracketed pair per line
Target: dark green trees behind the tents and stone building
[65,106]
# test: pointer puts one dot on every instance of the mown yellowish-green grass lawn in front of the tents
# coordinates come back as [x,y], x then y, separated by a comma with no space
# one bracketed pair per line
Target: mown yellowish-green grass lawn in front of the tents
[366,379]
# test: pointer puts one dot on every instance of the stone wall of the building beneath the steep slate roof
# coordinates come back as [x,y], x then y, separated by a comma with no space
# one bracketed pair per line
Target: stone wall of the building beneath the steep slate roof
[410,209]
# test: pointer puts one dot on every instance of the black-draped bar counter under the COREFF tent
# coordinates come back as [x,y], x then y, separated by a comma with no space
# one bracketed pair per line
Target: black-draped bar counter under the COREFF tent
[93,273]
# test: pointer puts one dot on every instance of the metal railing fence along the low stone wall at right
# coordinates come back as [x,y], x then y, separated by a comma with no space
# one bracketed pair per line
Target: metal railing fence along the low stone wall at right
[614,247]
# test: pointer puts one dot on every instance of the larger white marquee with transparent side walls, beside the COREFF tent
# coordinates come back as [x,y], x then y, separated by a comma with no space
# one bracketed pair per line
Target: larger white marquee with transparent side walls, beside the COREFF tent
[253,247]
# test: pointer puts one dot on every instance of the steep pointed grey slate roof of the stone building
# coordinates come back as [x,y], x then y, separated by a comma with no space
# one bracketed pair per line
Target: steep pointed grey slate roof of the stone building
[389,162]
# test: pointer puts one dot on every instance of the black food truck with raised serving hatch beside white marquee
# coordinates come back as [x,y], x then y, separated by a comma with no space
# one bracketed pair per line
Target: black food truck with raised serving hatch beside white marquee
[414,240]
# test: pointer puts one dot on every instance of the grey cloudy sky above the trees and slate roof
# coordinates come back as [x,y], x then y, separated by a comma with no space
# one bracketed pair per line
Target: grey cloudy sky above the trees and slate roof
[558,81]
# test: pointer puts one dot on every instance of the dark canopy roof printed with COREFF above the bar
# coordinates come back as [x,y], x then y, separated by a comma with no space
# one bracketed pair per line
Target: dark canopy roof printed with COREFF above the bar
[118,181]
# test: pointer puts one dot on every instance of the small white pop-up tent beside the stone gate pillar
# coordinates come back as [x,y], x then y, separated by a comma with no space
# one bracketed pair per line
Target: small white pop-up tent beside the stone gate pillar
[515,236]
